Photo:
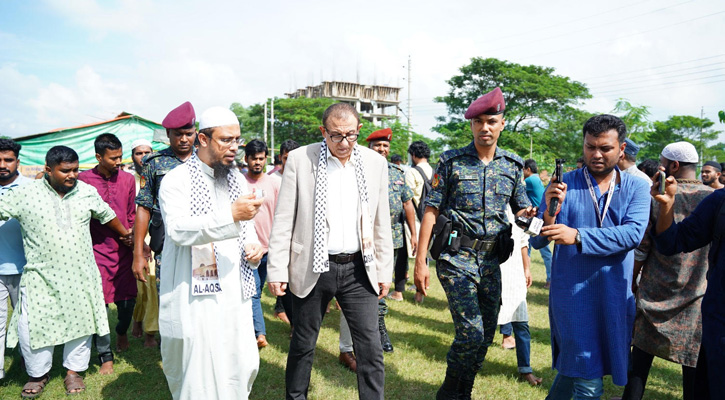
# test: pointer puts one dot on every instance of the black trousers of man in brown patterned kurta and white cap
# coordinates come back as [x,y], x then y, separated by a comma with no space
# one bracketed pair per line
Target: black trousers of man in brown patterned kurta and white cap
[637,377]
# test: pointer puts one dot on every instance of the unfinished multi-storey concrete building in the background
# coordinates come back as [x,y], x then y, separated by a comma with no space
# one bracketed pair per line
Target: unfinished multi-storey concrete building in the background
[374,103]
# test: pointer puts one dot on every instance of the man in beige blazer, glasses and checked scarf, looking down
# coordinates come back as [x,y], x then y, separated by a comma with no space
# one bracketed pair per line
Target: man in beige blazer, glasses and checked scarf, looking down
[347,210]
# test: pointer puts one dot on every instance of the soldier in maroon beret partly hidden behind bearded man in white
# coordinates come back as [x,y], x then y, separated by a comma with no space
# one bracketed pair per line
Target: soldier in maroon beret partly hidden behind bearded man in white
[180,126]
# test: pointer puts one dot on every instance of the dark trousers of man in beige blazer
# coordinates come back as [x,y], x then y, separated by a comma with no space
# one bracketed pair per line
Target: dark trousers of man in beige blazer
[350,285]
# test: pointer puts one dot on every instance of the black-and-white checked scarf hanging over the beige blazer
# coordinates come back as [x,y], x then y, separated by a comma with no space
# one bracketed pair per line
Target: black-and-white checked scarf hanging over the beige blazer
[321,262]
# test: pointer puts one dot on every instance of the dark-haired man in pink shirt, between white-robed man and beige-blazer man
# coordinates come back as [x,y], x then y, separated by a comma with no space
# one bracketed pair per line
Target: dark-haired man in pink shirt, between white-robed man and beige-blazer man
[255,155]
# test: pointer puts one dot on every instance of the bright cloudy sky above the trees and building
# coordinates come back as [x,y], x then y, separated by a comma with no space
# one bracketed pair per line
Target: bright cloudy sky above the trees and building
[69,62]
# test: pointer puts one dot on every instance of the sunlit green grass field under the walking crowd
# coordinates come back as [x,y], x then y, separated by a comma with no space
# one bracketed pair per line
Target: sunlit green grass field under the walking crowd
[421,335]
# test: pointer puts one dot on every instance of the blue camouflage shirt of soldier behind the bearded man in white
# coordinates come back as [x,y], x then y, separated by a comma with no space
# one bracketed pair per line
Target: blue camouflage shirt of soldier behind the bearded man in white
[155,166]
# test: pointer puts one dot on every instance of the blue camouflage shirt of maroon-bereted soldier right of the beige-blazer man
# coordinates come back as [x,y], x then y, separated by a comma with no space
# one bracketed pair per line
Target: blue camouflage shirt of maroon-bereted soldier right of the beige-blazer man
[475,194]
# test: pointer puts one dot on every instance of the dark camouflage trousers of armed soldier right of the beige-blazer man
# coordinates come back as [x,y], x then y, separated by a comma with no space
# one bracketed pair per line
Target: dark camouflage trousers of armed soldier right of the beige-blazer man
[474,299]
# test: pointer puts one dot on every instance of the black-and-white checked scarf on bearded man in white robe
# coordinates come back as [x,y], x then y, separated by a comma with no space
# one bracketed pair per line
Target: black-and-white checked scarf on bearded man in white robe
[201,205]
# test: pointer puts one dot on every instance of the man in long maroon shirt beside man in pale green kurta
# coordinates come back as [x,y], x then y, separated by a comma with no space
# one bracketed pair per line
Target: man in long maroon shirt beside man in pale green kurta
[114,257]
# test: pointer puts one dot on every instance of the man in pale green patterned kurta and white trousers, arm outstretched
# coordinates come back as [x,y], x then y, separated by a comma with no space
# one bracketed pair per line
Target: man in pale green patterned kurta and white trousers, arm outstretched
[61,294]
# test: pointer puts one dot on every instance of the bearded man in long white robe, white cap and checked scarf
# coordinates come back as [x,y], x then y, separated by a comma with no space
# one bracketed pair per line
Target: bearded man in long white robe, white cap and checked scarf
[208,346]
